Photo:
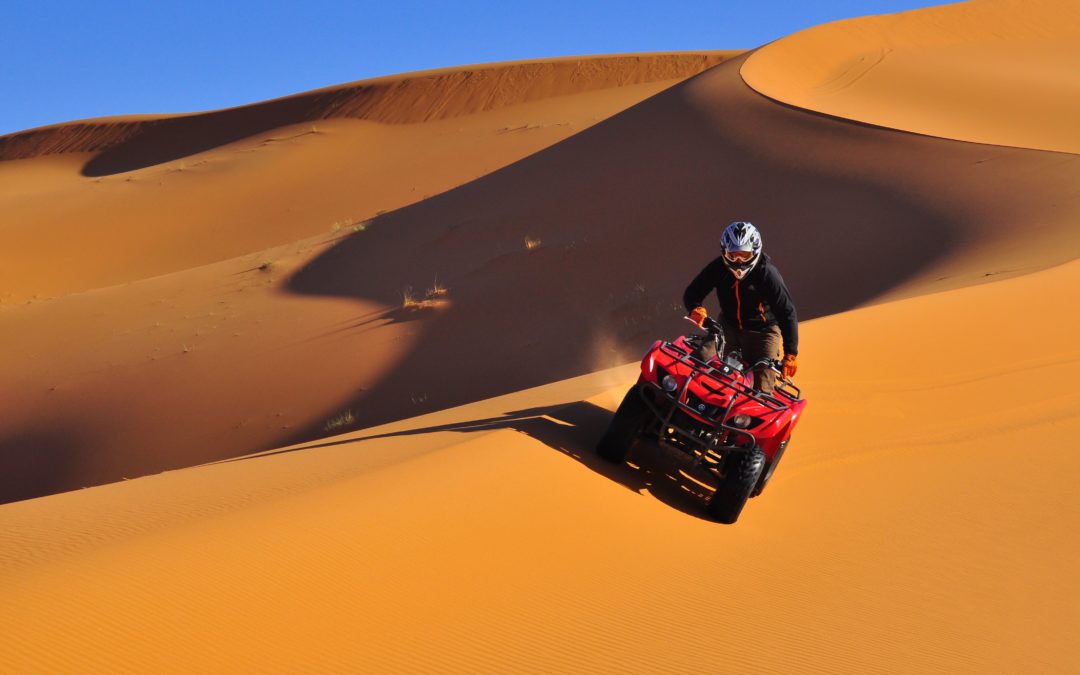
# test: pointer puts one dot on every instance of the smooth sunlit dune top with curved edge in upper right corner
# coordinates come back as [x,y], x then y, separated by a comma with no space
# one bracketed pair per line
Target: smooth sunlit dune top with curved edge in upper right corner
[994,72]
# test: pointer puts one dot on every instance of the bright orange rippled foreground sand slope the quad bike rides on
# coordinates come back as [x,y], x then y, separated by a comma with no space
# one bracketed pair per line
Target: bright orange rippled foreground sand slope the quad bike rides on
[923,521]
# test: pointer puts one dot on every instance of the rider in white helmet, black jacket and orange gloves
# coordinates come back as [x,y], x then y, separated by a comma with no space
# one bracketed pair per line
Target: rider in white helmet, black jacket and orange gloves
[757,309]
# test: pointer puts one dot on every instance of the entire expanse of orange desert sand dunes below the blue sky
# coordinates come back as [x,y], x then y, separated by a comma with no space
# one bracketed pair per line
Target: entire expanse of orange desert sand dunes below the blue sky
[226,306]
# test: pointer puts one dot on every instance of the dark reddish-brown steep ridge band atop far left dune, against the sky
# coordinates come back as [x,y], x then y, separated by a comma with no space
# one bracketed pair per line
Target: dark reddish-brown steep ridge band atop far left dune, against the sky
[409,99]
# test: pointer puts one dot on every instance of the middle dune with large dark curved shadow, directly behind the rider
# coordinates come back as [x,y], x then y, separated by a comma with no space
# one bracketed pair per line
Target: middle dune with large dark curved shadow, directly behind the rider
[106,385]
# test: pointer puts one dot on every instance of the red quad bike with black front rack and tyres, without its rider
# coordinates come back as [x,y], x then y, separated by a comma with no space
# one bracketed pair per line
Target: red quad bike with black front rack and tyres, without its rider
[708,410]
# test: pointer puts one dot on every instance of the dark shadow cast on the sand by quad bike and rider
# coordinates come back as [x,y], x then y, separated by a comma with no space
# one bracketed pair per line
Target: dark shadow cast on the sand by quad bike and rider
[573,430]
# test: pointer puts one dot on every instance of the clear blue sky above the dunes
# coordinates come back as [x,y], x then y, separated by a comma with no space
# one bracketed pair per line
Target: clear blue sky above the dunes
[67,61]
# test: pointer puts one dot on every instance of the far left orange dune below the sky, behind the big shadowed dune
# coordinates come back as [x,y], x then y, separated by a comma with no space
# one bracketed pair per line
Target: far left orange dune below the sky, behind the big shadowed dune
[170,194]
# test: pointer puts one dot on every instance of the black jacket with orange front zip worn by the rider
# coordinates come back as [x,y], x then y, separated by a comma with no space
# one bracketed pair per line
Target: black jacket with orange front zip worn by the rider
[759,301]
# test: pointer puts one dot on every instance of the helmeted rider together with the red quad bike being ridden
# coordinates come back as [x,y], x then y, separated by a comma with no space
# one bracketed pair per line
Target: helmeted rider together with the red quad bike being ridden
[715,398]
